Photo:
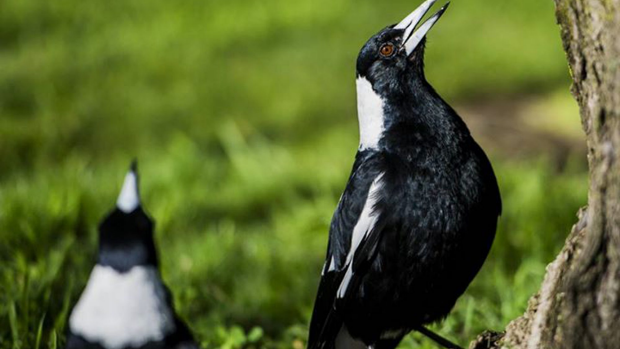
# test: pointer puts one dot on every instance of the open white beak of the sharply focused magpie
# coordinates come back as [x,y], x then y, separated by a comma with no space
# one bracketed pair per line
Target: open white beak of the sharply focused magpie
[411,39]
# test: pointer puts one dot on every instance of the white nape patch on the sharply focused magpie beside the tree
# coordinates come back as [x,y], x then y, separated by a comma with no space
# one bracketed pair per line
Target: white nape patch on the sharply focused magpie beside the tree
[370,114]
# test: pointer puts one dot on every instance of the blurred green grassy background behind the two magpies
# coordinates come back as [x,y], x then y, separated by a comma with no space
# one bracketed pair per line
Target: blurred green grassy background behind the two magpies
[242,115]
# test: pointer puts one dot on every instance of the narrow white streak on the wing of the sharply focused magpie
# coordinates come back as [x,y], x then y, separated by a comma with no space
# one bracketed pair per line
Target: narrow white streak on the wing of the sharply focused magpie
[363,227]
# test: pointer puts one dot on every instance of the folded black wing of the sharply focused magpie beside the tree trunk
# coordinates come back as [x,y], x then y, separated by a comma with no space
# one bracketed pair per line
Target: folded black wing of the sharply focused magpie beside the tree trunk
[326,321]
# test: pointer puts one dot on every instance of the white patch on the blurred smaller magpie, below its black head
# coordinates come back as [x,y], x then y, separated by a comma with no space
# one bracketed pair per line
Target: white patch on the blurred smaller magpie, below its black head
[119,310]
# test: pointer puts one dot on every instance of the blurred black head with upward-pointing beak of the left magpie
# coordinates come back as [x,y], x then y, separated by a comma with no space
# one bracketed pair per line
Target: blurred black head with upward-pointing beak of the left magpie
[126,234]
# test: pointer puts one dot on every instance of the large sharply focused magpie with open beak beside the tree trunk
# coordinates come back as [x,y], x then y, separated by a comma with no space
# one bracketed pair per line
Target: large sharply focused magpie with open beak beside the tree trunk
[420,209]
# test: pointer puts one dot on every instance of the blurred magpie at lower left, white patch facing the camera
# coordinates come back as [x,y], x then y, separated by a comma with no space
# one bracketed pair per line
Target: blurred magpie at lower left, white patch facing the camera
[125,303]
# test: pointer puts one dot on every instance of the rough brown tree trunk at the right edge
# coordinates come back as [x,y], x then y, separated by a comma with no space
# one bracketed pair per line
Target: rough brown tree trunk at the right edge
[578,304]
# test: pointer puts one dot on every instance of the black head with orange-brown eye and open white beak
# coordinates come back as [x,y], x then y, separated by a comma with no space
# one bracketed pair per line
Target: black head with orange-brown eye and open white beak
[392,58]
